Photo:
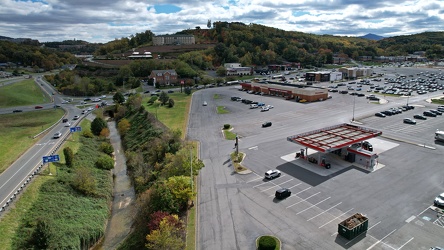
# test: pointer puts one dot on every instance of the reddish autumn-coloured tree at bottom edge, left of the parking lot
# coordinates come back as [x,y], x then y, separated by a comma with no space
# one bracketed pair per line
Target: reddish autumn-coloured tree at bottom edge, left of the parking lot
[168,236]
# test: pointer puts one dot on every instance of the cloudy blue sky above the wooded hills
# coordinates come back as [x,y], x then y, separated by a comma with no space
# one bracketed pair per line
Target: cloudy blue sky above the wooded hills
[106,20]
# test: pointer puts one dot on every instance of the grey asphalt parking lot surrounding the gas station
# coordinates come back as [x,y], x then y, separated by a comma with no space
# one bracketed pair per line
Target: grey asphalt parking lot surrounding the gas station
[397,197]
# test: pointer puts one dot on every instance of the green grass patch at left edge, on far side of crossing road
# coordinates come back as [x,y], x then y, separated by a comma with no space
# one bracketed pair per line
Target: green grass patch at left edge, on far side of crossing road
[22,93]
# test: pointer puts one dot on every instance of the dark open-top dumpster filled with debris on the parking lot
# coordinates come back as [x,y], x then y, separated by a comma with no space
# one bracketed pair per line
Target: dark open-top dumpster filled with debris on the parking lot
[353,226]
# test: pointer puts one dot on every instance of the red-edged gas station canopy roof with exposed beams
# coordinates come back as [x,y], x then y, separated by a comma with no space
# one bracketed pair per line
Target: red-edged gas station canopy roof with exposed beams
[335,137]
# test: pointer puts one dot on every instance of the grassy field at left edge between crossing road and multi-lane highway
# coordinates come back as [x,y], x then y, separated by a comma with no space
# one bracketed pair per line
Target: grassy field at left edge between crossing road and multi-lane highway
[17,130]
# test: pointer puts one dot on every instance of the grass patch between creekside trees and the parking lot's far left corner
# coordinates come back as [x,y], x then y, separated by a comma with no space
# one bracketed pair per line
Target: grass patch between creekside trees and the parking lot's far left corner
[175,117]
